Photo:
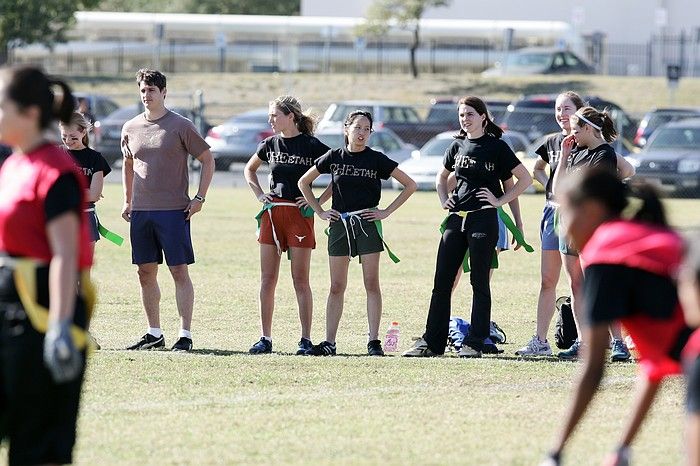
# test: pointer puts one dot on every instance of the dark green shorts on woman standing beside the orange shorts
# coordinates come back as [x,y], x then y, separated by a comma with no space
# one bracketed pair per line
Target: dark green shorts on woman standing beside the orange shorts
[363,239]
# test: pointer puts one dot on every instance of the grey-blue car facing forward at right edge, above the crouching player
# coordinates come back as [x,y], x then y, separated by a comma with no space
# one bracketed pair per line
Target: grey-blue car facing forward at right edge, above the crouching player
[671,158]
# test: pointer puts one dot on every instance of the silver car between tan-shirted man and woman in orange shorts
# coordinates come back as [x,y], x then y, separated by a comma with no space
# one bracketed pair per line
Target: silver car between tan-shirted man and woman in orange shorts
[236,139]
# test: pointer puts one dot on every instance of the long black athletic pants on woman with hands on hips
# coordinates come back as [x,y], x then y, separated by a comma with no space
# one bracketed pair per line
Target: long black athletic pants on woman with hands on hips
[479,235]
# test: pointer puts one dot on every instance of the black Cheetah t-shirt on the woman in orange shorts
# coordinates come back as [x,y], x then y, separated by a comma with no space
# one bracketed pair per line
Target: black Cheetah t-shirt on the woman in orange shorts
[289,159]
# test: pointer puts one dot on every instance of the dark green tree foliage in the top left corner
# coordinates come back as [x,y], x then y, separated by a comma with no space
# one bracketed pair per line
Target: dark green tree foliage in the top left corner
[31,21]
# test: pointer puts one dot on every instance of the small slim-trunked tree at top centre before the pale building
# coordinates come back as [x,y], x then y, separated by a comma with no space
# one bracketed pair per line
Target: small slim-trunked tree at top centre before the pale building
[406,14]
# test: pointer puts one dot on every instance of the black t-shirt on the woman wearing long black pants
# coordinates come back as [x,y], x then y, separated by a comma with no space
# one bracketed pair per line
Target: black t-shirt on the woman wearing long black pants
[478,163]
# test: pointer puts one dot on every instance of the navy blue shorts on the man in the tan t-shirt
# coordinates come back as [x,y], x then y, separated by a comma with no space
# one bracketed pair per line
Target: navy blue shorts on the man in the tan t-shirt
[157,232]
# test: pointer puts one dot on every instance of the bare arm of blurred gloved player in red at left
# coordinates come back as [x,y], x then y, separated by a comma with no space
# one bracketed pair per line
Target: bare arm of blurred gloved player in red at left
[63,232]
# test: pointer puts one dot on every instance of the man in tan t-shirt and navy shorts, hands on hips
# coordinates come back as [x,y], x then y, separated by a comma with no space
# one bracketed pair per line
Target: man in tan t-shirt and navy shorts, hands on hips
[156,145]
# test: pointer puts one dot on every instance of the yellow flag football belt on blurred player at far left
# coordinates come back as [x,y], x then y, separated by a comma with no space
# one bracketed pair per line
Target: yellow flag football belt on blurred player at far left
[24,273]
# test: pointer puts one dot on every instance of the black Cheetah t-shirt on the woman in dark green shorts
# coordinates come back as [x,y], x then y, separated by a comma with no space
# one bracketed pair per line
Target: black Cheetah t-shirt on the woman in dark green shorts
[357,177]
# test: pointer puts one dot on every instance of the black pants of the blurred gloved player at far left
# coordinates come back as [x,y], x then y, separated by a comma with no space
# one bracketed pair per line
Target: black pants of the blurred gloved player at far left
[37,416]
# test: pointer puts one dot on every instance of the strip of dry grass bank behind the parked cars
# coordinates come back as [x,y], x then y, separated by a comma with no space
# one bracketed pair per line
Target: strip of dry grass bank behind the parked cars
[228,94]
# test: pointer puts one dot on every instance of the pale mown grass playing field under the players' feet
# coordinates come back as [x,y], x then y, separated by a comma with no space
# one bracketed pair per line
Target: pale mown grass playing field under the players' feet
[219,405]
